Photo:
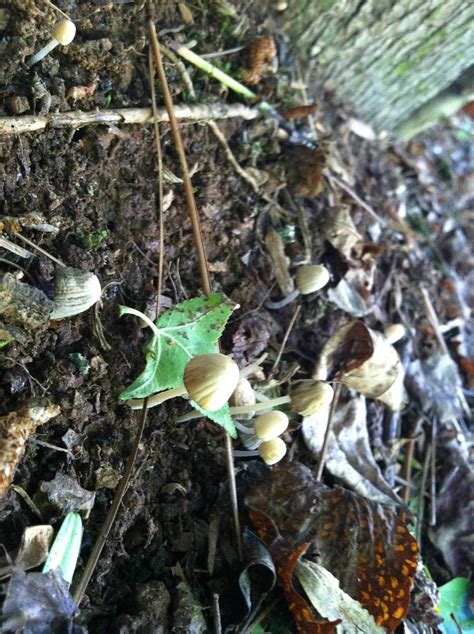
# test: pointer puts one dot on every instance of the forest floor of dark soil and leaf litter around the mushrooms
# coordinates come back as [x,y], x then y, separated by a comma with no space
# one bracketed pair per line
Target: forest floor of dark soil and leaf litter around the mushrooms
[390,222]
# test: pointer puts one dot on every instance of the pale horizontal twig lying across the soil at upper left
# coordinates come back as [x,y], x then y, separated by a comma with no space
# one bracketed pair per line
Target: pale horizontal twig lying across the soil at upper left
[132,116]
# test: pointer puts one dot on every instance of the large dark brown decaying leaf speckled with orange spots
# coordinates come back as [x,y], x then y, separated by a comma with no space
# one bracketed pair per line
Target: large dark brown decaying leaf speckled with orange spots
[365,545]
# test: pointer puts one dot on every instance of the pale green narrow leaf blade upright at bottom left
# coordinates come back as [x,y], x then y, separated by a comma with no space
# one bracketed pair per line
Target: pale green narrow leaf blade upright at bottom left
[65,549]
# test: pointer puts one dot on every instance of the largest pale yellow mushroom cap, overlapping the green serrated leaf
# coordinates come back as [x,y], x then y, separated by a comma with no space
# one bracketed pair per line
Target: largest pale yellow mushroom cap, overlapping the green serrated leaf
[210,380]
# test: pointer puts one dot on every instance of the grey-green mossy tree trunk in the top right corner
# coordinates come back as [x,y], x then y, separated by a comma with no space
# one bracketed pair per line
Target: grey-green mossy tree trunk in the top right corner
[385,58]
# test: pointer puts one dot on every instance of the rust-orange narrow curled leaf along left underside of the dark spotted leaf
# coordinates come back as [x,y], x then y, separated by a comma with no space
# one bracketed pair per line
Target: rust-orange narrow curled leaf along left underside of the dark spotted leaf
[285,557]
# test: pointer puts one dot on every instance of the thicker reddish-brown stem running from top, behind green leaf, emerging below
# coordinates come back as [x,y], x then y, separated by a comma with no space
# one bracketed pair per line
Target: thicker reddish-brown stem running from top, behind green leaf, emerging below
[198,240]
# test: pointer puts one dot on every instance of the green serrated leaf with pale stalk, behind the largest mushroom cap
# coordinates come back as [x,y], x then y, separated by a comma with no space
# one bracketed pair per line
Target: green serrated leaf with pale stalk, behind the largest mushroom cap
[190,328]
